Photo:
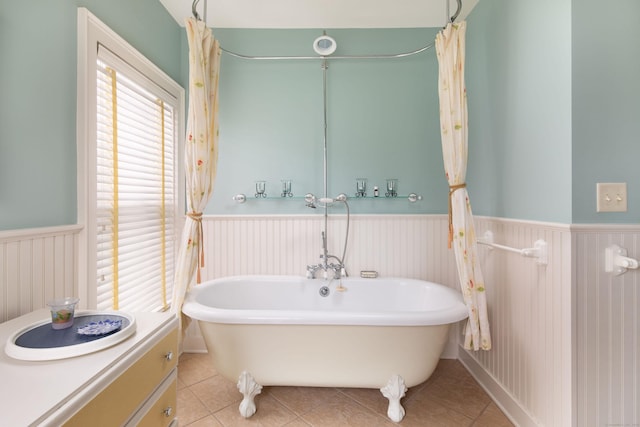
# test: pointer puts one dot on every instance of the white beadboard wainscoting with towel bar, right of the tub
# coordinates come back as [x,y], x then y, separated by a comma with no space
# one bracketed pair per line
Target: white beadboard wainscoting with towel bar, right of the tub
[529,369]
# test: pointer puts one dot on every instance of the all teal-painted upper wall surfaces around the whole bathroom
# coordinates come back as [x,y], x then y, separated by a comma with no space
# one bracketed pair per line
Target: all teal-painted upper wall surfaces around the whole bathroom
[553,107]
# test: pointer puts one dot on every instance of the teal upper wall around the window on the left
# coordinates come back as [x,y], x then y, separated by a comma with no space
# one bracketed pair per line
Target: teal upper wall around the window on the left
[38,97]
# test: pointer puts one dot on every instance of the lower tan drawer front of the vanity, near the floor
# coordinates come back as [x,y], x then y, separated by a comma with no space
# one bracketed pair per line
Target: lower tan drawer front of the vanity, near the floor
[160,409]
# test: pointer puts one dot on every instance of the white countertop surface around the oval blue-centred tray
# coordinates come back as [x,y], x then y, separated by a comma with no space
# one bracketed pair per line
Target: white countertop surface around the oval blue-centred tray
[47,392]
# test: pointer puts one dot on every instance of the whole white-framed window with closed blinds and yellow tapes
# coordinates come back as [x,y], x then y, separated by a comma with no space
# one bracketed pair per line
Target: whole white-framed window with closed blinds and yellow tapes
[129,126]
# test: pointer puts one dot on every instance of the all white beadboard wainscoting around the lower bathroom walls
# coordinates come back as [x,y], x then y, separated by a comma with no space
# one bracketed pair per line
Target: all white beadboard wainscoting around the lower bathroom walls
[566,336]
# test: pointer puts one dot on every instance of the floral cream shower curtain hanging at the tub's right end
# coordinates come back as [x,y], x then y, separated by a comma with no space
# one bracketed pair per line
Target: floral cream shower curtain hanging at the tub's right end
[450,50]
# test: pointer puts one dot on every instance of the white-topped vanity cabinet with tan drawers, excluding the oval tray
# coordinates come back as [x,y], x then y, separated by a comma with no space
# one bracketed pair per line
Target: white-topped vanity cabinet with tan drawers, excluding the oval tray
[132,383]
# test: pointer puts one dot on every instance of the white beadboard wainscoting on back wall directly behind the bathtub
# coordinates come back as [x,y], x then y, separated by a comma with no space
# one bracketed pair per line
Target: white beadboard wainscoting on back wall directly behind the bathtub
[394,245]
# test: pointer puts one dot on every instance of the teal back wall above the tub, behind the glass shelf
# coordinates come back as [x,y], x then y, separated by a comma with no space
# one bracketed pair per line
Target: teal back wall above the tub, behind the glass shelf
[382,118]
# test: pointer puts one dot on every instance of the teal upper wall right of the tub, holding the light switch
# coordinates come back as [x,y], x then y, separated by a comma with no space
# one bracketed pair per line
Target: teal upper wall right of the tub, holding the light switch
[554,107]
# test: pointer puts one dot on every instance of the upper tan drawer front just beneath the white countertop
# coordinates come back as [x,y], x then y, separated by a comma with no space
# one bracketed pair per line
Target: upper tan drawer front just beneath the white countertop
[115,404]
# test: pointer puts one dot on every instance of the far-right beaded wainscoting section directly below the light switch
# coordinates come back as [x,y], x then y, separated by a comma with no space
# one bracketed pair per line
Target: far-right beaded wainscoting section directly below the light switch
[608,329]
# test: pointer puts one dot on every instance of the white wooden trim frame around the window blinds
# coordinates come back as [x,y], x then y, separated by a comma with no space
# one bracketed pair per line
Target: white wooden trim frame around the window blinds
[91,33]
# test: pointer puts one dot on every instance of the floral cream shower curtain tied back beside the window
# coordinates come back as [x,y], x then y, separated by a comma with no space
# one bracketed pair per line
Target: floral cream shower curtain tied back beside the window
[201,155]
